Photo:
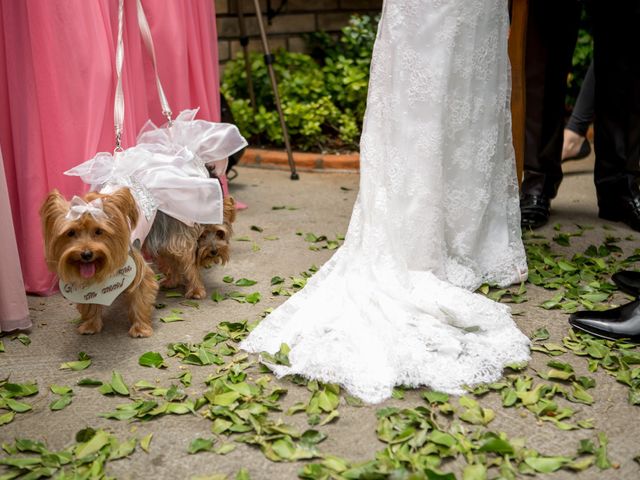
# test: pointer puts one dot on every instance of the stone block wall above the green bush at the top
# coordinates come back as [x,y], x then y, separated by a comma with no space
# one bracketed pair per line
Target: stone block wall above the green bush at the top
[285,30]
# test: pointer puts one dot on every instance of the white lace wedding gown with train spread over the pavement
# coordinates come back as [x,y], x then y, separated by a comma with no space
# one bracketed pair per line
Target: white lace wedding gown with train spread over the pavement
[437,215]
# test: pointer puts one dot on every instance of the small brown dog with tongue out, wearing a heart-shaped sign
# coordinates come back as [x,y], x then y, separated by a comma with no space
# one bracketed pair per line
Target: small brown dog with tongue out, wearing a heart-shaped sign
[87,242]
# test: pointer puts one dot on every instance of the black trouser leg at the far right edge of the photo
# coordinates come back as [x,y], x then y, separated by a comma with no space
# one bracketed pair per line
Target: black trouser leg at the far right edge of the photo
[617,126]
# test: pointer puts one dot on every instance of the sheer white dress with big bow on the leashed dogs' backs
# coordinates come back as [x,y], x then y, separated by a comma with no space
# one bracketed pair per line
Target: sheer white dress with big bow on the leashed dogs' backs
[166,170]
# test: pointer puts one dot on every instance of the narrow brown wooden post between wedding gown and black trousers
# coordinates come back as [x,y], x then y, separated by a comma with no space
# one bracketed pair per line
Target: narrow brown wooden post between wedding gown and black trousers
[517,50]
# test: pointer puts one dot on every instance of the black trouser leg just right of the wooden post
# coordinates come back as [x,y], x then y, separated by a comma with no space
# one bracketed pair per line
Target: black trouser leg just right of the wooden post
[551,37]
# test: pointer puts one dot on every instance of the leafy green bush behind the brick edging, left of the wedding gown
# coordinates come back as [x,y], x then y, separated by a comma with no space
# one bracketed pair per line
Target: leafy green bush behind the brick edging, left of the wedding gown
[323,96]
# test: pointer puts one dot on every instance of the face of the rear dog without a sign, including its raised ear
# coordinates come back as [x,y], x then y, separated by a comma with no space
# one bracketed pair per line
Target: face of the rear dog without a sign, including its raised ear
[213,243]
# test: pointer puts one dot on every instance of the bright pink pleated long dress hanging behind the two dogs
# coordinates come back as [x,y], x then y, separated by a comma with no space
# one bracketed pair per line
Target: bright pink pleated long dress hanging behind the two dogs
[57,82]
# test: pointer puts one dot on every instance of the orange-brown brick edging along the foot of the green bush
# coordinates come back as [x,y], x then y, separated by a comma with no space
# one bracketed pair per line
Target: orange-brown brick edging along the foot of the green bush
[277,159]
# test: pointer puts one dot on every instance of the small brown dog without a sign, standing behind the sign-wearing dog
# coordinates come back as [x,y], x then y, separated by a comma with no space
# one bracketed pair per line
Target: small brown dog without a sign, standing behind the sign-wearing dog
[179,250]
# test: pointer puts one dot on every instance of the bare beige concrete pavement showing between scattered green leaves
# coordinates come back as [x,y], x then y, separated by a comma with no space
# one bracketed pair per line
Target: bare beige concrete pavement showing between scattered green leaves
[319,203]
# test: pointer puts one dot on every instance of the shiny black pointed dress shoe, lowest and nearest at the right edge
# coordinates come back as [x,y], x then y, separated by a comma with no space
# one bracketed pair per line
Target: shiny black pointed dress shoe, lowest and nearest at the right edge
[621,322]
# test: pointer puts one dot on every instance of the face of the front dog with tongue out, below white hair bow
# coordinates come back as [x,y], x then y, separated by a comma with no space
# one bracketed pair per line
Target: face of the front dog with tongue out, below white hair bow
[87,249]
